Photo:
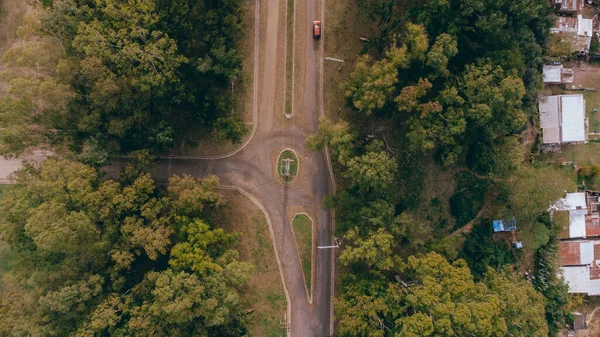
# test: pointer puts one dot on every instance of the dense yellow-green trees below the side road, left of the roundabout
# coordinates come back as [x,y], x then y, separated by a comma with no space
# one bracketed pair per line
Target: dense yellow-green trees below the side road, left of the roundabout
[88,257]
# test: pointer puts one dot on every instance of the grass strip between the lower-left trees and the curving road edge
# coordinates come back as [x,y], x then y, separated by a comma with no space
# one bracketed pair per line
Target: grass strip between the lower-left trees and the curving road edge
[264,291]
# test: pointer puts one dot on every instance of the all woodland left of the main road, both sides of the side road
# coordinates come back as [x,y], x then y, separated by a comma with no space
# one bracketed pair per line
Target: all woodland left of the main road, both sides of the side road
[88,255]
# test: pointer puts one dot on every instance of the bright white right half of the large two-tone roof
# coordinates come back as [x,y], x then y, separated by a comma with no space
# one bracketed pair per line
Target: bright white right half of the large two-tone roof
[573,115]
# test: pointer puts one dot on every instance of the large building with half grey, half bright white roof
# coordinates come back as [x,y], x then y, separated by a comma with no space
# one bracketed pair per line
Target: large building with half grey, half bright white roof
[562,118]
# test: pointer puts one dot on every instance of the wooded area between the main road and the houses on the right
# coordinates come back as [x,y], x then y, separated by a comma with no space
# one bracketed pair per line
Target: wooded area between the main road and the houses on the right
[453,85]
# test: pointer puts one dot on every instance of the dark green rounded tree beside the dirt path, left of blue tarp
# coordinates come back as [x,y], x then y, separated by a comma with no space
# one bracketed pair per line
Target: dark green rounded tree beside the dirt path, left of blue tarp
[468,197]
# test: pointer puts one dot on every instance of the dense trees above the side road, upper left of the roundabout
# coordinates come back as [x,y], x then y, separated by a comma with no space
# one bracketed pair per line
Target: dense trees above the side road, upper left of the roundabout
[119,76]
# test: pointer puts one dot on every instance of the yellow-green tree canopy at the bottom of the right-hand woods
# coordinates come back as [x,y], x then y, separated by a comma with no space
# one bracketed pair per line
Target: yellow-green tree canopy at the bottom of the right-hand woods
[427,296]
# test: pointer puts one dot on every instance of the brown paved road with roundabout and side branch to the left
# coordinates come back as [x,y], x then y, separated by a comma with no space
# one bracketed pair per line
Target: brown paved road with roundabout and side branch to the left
[252,169]
